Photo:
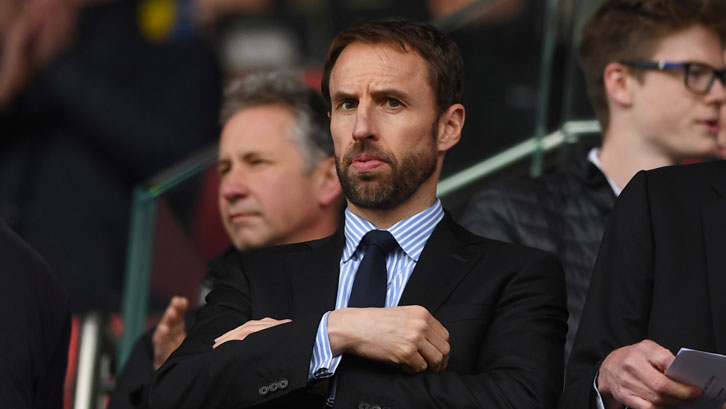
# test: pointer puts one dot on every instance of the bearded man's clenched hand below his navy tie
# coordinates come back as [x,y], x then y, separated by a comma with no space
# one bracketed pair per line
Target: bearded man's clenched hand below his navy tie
[408,336]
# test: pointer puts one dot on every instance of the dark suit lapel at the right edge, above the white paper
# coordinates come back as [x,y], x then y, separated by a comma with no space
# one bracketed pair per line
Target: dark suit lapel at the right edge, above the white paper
[714,228]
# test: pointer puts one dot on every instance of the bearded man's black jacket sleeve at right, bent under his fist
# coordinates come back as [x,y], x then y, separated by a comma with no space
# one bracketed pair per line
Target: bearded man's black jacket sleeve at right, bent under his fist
[519,361]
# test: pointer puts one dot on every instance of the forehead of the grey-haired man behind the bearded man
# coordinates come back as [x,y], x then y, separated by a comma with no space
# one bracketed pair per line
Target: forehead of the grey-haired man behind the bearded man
[259,128]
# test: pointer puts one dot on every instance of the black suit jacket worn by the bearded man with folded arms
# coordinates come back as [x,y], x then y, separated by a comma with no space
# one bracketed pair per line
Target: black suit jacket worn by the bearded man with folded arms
[504,307]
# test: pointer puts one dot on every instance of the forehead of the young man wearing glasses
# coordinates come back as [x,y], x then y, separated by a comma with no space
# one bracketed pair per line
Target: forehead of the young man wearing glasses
[695,44]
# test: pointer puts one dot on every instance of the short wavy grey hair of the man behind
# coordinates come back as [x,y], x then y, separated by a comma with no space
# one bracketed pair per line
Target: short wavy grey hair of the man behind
[312,127]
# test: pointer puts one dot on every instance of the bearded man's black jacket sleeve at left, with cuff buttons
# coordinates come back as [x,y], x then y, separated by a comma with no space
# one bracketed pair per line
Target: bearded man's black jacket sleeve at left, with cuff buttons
[264,366]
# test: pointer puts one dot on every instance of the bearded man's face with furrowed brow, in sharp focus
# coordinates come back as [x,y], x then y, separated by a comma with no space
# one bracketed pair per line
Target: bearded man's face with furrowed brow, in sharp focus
[384,125]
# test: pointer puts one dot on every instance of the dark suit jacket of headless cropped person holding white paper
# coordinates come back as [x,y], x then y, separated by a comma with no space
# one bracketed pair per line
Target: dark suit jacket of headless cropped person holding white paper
[660,273]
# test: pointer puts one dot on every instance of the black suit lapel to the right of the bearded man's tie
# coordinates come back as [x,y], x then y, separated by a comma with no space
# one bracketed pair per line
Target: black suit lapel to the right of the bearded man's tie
[443,264]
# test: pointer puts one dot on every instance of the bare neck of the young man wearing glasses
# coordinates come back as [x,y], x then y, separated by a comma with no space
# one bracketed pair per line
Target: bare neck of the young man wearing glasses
[623,154]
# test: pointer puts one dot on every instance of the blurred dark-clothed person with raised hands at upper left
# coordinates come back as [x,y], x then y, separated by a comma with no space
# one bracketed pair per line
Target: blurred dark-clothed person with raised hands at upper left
[89,108]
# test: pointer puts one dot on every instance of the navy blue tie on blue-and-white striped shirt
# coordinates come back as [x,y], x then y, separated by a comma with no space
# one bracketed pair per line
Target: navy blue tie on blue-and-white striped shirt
[369,287]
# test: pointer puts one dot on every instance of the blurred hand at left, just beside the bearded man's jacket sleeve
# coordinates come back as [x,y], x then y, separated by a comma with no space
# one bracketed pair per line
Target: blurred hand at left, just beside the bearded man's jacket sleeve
[170,332]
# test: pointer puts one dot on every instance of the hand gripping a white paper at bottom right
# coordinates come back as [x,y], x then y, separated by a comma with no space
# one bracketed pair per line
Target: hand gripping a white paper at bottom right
[634,376]
